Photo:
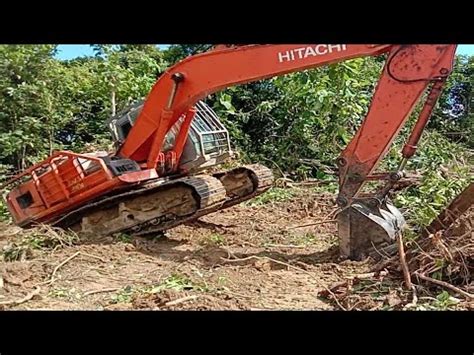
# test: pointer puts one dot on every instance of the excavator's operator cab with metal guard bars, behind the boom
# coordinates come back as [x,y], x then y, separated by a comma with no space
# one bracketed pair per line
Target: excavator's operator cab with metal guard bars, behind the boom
[208,142]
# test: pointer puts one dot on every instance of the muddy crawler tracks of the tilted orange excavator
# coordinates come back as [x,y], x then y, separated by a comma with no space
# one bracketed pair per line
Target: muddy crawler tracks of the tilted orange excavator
[164,204]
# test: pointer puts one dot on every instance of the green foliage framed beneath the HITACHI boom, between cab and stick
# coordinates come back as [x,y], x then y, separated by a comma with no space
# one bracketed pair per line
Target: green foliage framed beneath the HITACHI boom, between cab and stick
[307,117]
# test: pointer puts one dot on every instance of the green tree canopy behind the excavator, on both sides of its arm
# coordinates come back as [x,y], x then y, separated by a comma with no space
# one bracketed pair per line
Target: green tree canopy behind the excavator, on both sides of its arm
[299,121]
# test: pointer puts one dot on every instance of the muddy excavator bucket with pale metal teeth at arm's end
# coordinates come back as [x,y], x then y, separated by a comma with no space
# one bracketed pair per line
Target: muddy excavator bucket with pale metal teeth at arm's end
[366,224]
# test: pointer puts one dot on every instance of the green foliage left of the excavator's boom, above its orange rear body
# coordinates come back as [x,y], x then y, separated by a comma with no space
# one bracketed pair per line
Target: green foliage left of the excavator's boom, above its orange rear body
[47,104]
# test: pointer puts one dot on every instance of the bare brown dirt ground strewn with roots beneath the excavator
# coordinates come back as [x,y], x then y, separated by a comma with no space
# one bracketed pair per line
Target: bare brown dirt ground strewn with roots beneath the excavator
[254,256]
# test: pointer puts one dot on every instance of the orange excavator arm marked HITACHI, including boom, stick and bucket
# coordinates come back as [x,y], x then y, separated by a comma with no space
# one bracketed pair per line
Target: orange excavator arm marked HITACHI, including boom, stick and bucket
[408,72]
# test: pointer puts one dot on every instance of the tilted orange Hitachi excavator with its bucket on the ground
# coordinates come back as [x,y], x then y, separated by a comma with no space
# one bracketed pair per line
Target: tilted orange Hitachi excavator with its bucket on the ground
[155,179]
